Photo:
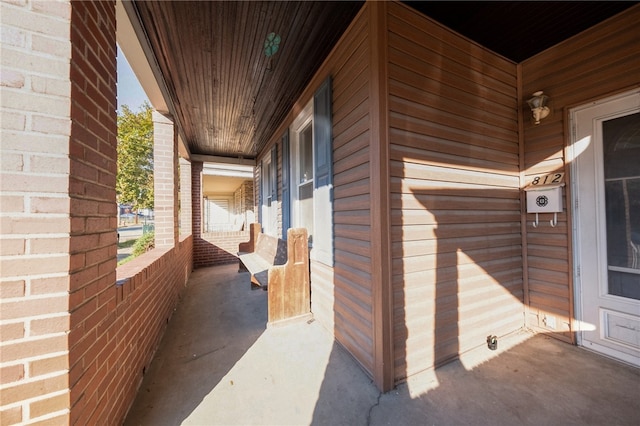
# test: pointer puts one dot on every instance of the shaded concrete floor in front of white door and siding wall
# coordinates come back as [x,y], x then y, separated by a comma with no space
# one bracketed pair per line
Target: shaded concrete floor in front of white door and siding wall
[531,380]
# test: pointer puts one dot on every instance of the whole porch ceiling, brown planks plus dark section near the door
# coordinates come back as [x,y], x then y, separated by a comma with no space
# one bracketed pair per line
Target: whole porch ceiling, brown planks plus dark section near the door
[228,96]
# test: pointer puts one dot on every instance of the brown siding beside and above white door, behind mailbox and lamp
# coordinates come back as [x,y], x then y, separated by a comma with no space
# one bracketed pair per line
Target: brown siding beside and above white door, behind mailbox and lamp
[594,64]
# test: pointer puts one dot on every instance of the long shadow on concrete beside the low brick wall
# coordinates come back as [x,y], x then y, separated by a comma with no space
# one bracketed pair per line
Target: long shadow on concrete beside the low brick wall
[215,324]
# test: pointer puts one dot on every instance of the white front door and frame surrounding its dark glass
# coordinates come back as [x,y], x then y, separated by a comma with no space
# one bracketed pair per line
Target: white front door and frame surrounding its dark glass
[621,104]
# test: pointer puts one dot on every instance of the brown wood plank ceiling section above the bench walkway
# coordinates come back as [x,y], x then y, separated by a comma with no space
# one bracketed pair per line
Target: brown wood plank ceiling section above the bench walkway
[229,97]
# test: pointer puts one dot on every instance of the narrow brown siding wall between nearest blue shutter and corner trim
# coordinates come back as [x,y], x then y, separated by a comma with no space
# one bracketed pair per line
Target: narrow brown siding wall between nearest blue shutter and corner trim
[352,320]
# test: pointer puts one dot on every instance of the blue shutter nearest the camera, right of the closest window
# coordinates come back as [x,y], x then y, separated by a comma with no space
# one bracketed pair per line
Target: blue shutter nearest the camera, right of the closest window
[323,174]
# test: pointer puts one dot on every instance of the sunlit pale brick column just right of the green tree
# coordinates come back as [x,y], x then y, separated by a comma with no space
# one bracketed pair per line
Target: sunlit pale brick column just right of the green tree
[165,172]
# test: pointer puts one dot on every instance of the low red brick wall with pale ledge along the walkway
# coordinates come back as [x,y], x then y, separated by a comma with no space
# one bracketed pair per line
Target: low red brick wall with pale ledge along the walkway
[148,290]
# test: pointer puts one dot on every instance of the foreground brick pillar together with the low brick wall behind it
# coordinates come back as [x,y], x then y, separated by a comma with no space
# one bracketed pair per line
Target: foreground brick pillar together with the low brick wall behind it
[74,344]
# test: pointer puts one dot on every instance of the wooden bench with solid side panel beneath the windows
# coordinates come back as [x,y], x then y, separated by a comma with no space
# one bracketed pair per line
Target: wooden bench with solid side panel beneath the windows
[282,268]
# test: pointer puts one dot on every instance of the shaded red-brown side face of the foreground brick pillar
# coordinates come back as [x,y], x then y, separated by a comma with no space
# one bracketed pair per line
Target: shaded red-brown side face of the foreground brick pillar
[93,207]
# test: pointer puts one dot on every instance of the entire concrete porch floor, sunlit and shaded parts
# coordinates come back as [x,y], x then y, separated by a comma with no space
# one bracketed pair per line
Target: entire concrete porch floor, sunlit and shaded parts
[218,364]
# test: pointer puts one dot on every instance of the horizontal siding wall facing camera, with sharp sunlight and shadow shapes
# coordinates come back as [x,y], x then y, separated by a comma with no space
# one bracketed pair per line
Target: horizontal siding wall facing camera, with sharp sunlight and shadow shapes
[454,165]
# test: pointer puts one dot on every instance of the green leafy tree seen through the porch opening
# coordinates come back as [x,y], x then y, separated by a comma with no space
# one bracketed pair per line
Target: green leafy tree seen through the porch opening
[134,180]
